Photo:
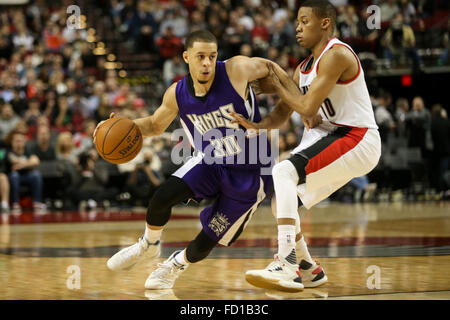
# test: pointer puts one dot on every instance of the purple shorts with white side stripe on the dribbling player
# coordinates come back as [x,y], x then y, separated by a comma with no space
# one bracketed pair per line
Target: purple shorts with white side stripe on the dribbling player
[238,194]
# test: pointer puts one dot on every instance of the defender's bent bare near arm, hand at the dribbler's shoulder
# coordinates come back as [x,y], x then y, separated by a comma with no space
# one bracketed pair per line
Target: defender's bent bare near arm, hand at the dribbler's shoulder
[332,65]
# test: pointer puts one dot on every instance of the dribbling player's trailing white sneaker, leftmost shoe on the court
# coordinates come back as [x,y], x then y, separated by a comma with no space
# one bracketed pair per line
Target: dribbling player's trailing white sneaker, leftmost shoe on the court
[128,257]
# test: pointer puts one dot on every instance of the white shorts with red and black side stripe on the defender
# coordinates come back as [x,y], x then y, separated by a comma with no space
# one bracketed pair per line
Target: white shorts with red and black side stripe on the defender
[334,157]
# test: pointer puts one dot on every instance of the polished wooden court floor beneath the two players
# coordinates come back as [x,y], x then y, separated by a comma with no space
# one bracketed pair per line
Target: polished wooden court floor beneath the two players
[371,251]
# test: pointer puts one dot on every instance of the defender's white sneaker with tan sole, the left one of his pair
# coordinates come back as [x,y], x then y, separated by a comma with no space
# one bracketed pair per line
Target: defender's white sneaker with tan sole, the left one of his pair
[279,275]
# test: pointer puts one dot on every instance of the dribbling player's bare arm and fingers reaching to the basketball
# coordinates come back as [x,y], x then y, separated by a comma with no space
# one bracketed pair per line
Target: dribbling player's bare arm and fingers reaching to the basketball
[159,121]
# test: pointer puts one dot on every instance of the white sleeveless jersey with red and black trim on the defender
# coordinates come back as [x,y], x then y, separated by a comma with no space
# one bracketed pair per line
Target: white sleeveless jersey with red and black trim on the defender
[348,103]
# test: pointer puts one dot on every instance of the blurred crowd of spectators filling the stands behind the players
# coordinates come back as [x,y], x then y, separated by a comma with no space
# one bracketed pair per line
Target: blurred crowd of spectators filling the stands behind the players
[54,87]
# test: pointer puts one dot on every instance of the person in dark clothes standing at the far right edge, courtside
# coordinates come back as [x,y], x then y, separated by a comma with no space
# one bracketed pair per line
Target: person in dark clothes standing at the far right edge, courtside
[440,157]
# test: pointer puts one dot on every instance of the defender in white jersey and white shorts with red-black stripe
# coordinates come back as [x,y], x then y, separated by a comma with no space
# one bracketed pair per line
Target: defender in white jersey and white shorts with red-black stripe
[341,141]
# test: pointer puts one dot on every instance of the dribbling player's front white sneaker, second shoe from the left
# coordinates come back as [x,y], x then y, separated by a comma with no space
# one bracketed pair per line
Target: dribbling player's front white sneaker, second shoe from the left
[164,277]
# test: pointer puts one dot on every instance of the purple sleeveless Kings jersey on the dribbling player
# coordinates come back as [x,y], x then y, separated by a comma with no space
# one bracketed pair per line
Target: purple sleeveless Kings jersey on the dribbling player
[208,123]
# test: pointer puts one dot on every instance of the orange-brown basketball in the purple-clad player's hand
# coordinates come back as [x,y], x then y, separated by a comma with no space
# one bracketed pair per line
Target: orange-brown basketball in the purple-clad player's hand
[118,140]
